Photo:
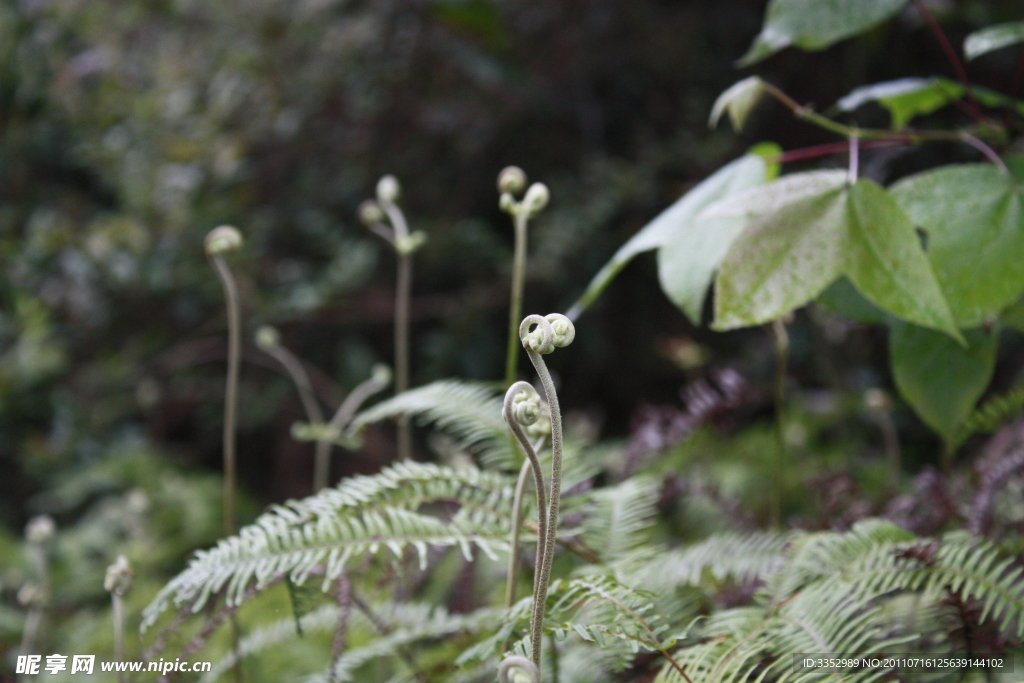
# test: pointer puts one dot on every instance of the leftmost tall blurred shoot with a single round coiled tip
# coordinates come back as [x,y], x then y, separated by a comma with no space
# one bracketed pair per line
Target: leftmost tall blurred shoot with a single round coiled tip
[219,242]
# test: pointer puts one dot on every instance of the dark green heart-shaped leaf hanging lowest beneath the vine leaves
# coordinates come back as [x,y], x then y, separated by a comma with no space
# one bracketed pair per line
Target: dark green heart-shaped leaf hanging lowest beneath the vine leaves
[941,379]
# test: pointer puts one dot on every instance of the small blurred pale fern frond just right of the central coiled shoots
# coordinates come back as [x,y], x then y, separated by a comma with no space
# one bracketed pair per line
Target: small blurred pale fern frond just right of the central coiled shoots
[620,519]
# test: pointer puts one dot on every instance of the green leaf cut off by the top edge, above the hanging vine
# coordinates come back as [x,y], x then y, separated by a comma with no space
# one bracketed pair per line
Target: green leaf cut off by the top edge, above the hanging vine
[815,25]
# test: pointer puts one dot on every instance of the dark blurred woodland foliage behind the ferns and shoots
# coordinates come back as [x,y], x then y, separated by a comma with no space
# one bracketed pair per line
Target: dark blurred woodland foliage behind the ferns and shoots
[130,129]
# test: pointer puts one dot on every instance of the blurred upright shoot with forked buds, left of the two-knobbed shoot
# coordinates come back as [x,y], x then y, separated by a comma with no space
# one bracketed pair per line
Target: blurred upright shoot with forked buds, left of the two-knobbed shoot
[373,215]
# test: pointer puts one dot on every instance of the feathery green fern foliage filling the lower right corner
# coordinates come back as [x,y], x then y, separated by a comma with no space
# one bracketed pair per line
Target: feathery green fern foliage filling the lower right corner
[829,595]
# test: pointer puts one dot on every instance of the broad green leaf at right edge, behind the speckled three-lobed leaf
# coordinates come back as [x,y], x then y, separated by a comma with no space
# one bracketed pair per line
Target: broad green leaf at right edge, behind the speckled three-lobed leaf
[975,223]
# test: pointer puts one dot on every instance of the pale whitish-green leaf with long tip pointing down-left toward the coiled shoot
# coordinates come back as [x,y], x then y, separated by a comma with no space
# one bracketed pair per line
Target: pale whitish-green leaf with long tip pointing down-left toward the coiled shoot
[675,226]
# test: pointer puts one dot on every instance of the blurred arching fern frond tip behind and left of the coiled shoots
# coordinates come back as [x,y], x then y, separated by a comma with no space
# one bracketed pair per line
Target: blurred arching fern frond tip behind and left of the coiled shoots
[471,412]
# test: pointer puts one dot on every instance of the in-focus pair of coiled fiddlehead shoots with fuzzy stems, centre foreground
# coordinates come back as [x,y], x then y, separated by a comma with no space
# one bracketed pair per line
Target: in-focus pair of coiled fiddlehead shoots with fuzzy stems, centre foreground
[540,336]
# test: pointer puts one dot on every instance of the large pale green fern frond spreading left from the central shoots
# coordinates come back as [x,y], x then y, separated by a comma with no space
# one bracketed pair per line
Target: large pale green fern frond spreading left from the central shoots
[363,516]
